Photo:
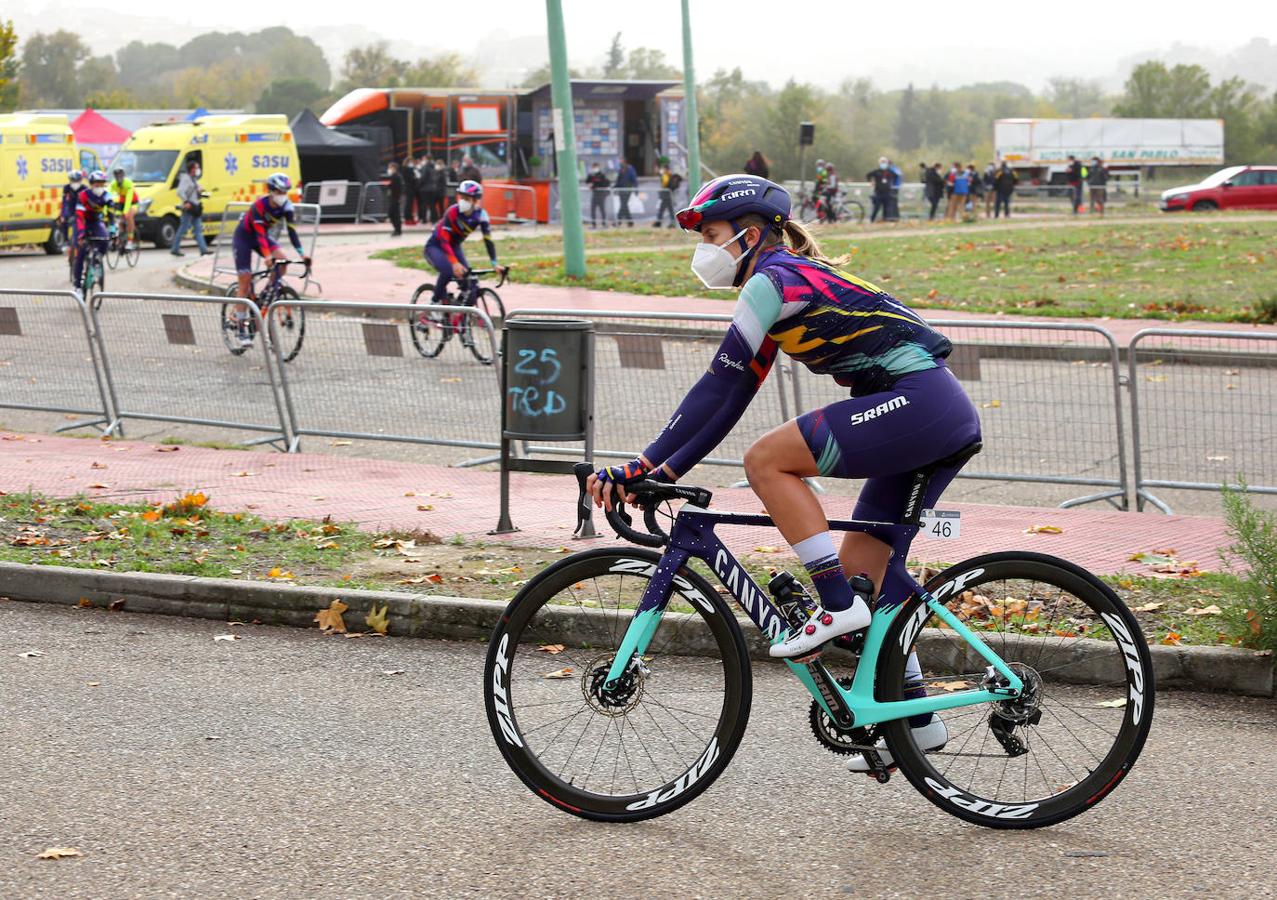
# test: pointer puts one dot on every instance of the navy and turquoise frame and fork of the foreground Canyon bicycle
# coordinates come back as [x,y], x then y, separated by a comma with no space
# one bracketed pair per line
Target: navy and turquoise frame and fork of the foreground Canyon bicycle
[693,537]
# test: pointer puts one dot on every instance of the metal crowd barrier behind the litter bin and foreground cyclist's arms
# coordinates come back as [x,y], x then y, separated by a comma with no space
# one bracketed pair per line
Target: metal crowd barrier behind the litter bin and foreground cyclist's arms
[646,363]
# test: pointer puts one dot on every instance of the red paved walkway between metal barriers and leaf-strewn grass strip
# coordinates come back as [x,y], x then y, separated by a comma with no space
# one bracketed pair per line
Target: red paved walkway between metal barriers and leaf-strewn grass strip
[386,496]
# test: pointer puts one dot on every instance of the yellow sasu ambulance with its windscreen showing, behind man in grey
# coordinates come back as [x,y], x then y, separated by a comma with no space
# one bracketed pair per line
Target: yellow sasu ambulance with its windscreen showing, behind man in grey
[236,154]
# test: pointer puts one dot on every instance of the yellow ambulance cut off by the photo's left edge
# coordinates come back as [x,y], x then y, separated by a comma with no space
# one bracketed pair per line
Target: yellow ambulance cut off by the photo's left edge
[38,154]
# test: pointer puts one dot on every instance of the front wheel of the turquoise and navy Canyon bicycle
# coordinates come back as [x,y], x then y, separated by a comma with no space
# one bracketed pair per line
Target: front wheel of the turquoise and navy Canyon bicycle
[644,749]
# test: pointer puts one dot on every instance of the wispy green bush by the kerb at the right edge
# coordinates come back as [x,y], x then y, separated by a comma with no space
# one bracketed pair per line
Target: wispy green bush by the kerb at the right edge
[1253,550]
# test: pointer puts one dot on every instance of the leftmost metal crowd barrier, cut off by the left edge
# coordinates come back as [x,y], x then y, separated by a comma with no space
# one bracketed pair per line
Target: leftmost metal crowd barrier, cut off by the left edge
[40,370]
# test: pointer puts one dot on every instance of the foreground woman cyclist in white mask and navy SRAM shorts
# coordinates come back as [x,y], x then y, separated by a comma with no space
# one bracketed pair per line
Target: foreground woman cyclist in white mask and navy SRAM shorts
[906,409]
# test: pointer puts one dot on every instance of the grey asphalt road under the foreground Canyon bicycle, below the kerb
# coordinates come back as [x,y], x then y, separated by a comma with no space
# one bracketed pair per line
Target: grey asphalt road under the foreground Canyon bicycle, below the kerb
[289,765]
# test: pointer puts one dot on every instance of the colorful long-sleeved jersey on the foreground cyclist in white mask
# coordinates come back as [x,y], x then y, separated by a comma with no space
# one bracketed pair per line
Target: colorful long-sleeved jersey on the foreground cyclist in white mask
[832,322]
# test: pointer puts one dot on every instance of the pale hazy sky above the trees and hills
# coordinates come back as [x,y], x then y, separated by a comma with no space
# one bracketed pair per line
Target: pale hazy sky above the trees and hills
[822,41]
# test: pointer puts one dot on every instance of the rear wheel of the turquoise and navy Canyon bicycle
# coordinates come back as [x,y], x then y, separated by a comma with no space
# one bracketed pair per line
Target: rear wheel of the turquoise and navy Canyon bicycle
[1087,705]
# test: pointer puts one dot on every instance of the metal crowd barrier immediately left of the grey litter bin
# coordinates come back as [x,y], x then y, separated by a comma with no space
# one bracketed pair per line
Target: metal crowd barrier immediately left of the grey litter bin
[359,376]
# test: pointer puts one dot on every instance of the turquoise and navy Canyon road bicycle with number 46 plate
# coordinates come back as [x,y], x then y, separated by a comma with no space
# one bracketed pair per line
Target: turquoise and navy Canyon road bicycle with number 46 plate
[617,684]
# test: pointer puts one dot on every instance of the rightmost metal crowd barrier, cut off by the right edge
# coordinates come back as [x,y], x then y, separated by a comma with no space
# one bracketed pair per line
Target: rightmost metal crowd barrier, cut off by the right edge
[1204,401]
